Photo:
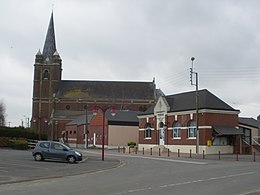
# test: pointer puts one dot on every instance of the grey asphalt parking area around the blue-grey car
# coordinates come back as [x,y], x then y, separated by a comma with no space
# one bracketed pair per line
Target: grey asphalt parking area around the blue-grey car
[19,165]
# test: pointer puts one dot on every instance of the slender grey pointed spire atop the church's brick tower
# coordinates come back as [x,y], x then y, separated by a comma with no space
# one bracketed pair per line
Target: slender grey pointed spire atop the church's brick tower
[49,46]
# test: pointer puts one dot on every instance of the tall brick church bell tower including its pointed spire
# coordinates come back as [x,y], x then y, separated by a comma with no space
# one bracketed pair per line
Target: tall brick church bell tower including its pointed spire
[47,76]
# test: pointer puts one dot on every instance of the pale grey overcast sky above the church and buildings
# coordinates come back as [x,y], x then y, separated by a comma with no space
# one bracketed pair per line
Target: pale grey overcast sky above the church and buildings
[135,40]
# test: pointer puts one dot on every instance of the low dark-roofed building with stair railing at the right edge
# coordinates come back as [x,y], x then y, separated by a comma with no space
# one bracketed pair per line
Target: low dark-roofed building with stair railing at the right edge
[251,131]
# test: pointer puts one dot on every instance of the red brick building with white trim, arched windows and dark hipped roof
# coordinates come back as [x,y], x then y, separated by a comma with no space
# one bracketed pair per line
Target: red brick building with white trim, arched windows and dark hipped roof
[171,123]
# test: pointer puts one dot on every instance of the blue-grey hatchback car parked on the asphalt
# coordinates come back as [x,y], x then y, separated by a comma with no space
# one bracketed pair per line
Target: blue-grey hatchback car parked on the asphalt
[55,151]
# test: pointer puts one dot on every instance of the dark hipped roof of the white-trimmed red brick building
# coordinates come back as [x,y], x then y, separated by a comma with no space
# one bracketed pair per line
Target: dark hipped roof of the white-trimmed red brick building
[187,101]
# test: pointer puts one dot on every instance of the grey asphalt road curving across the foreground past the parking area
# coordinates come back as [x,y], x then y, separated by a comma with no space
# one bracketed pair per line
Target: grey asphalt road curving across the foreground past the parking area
[151,175]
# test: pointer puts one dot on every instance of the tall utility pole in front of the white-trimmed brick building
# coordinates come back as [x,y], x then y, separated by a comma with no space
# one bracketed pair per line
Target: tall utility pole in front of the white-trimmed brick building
[197,103]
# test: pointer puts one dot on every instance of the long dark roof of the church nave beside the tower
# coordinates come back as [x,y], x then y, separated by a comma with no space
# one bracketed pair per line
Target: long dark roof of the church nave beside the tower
[107,90]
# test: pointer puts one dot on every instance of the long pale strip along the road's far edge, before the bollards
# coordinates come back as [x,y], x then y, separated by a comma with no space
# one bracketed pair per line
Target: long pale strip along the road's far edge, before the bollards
[153,158]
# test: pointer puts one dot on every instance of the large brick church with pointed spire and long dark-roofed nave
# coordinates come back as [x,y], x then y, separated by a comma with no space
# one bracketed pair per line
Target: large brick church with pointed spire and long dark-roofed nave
[56,102]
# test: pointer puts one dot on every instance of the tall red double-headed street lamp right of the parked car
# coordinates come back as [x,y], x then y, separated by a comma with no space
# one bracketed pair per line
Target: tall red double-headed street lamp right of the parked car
[113,113]
